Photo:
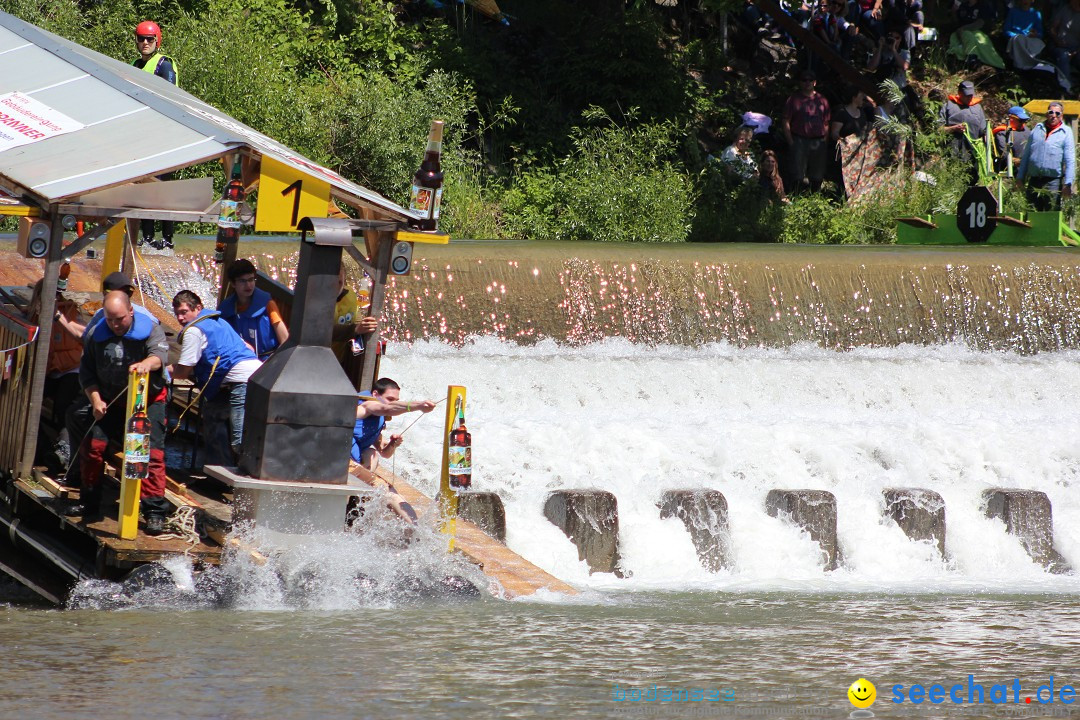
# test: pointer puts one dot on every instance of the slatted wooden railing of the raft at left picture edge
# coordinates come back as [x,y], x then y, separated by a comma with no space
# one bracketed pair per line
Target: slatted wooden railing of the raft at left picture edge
[18,344]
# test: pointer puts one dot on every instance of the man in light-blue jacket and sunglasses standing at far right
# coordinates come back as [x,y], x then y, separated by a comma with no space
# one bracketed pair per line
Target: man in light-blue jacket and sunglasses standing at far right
[1049,166]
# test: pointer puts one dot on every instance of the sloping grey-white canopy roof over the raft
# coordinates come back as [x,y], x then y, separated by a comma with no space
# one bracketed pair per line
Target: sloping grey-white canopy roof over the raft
[130,126]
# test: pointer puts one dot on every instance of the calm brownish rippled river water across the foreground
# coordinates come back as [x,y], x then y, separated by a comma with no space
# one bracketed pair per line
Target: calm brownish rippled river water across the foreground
[781,656]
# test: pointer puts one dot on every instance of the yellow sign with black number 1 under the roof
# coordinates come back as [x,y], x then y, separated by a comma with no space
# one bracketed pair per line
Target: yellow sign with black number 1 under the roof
[287,195]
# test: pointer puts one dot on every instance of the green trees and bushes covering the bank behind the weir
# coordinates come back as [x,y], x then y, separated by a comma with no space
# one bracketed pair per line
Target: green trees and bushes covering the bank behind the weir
[580,120]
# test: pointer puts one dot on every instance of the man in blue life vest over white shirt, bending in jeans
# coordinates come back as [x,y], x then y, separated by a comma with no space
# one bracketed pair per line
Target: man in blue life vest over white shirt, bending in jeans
[214,356]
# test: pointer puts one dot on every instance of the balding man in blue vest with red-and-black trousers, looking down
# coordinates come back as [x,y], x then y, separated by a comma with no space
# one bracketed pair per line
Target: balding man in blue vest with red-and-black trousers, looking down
[126,343]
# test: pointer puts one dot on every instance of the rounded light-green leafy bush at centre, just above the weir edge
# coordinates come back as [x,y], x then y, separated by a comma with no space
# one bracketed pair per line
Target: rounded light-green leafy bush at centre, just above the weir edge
[620,184]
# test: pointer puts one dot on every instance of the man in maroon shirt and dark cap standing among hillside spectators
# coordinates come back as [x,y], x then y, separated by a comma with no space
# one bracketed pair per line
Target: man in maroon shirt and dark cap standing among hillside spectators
[805,126]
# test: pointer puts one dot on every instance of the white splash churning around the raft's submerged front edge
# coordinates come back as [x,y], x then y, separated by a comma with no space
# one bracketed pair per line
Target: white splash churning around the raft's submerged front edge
[380,565]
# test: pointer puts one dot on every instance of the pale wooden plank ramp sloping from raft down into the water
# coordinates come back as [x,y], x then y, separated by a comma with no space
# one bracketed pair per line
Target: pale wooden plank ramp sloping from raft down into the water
[518,576]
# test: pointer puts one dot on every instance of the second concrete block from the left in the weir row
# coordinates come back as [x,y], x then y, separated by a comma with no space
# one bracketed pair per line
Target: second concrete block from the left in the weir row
[590,519]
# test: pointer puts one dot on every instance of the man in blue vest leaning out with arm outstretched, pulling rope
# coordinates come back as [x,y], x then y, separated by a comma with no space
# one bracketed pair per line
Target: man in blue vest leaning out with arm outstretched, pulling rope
[369,443]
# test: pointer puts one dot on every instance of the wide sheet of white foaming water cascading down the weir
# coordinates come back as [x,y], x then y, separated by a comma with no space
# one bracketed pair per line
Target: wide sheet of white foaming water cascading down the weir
[639,420]
